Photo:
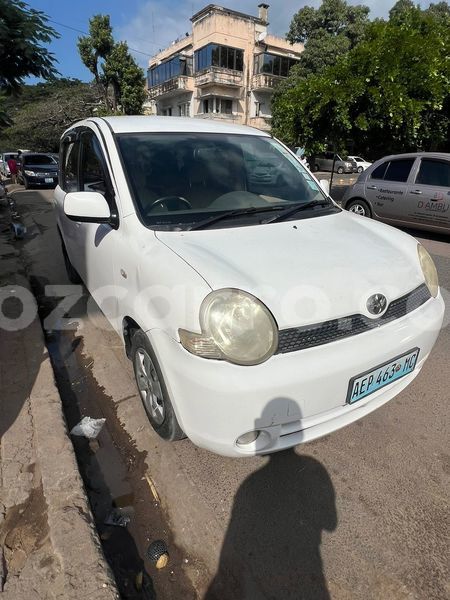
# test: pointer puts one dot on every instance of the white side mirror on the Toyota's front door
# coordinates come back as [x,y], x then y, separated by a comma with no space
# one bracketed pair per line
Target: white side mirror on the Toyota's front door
[88,207]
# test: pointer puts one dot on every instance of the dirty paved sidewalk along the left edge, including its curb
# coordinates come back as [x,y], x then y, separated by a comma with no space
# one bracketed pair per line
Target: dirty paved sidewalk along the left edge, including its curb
[49,547]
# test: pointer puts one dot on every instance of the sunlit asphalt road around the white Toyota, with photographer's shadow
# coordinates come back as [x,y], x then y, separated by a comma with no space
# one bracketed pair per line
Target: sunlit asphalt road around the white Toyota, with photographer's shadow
[360,514]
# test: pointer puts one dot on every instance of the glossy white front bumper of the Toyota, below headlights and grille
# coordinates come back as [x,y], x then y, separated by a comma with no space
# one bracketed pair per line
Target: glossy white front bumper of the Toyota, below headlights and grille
[293,398]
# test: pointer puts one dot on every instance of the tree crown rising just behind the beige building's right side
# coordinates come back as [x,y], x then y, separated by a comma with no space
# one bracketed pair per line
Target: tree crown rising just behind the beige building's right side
[327,32]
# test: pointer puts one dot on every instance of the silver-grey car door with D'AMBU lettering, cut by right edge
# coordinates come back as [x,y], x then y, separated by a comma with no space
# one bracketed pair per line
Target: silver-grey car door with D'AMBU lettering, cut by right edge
[429,194]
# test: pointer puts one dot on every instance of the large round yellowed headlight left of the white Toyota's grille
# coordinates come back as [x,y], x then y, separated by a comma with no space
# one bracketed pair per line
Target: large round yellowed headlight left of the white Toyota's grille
[236,327]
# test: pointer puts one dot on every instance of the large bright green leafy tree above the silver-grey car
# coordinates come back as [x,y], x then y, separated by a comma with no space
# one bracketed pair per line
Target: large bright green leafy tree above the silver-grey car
[390,93]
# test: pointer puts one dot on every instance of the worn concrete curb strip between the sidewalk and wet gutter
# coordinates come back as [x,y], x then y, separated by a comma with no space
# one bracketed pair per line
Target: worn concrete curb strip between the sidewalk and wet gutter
[74,538]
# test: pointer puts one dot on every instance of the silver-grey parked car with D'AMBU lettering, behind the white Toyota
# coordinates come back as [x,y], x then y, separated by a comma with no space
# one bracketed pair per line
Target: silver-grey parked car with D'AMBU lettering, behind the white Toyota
[405,189]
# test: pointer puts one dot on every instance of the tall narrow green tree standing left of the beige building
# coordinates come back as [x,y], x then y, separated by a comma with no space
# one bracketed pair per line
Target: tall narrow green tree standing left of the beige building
[115,71]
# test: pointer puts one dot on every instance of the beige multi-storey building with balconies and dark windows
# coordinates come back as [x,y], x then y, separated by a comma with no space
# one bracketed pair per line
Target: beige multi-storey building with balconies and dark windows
[226,68]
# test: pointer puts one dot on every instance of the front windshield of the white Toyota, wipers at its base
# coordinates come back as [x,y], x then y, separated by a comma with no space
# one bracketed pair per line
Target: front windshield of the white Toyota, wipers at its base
[179,180]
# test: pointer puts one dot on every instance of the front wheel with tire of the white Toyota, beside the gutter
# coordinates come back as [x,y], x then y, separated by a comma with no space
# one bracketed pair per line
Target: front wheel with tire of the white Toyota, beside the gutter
[153,390]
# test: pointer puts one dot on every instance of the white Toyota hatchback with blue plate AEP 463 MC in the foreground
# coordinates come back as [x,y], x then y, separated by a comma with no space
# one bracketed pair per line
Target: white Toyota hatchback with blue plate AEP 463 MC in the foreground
[257,313]
